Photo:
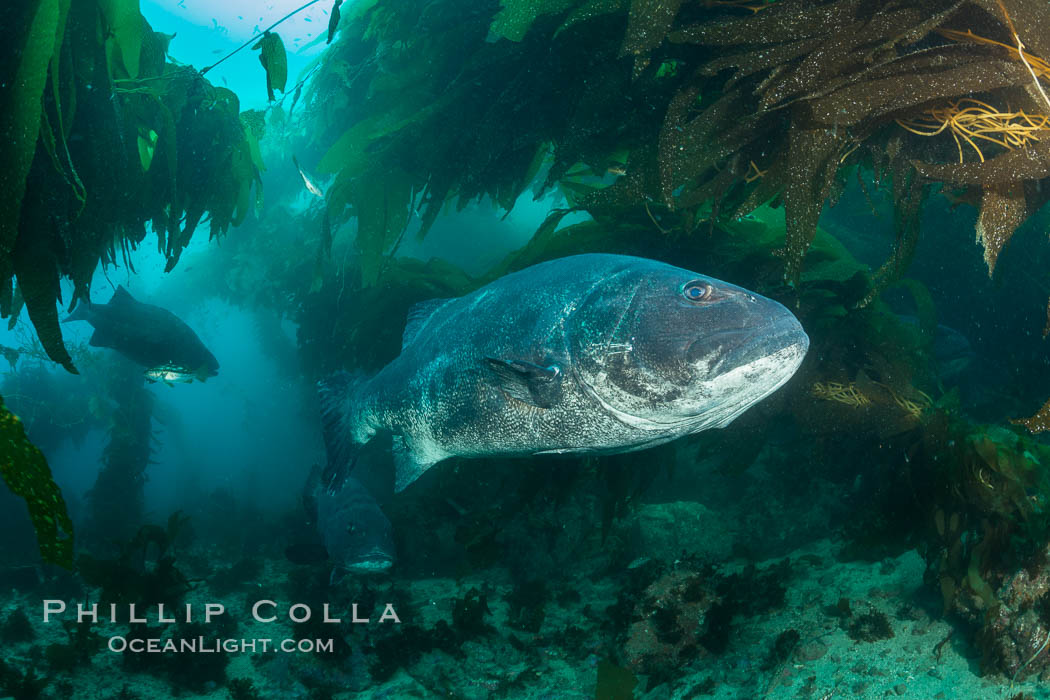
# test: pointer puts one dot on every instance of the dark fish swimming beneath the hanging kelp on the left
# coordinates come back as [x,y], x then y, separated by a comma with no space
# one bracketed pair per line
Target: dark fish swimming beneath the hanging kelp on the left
[149,335]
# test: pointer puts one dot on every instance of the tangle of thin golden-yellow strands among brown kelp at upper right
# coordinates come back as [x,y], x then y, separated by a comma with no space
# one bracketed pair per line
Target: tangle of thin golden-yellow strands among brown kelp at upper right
[970,119]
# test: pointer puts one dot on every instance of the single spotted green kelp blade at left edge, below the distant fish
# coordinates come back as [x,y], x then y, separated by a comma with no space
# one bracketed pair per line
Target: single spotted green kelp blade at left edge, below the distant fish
[27,474]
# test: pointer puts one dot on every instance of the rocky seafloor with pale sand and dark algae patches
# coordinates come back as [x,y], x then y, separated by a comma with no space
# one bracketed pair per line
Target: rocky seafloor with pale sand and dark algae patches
[670,624]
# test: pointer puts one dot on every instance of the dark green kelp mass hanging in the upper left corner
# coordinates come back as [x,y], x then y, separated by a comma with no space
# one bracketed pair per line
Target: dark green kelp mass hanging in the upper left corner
[100,134]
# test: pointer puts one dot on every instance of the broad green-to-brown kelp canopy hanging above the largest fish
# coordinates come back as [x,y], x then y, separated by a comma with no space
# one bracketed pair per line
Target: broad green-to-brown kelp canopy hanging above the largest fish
[675,115]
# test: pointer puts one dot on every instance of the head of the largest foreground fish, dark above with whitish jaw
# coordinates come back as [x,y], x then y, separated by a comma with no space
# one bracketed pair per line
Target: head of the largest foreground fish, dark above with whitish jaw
[673,351]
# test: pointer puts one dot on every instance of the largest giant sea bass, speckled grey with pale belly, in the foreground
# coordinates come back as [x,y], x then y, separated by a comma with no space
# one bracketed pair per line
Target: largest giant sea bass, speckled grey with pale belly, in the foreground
[590,354]
